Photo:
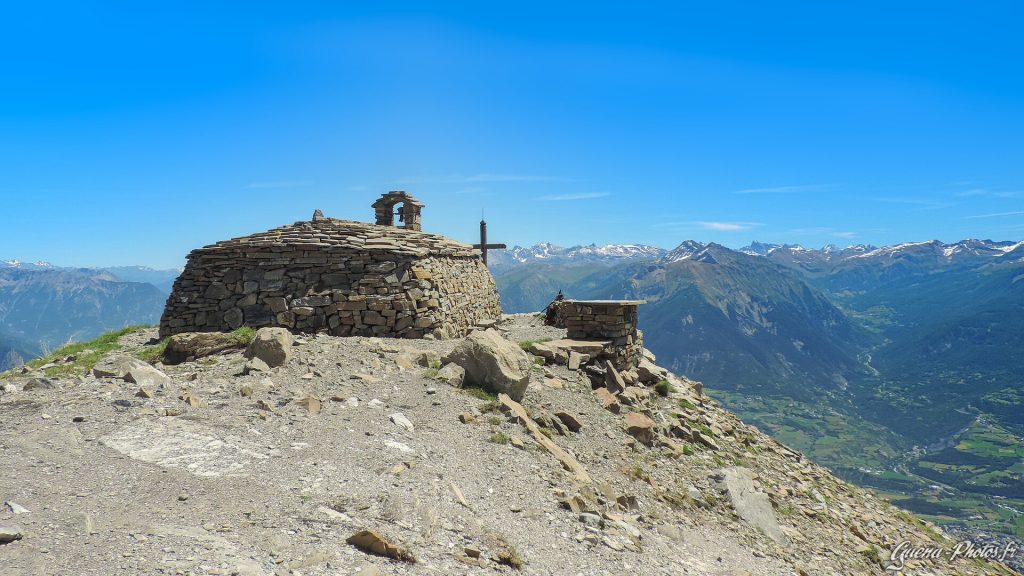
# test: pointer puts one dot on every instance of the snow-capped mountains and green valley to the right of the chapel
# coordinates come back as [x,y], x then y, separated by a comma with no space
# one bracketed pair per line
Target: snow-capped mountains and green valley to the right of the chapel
[897,366]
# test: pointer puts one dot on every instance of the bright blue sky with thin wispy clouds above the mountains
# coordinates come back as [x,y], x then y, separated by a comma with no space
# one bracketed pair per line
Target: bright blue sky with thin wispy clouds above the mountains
[133,135]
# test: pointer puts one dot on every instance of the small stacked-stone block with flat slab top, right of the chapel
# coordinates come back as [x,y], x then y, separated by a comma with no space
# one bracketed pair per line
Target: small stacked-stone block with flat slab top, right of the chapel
[611,320]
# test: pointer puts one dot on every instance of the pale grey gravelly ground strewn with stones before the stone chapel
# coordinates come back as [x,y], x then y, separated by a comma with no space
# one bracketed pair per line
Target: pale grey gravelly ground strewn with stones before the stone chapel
[249,481]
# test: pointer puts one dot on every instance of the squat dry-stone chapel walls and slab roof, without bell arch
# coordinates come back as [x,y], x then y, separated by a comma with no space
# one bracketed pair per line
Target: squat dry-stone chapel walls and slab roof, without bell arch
[335,276]
